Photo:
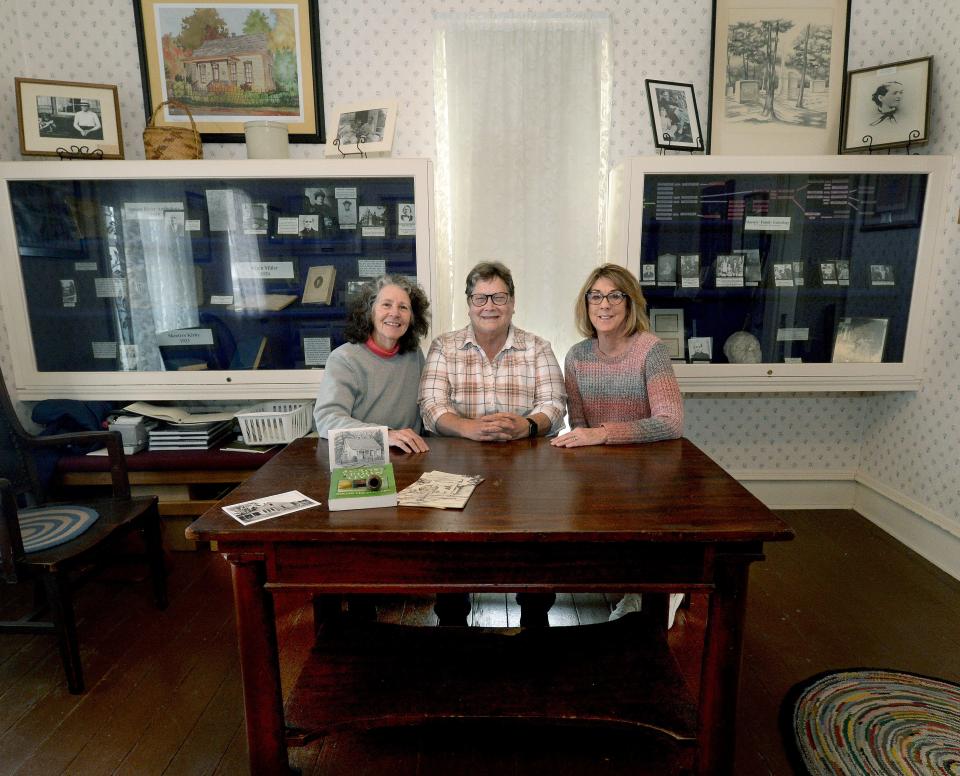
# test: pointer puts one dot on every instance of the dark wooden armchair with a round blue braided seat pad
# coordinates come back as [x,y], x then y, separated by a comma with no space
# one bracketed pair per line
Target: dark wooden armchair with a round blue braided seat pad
[56,570]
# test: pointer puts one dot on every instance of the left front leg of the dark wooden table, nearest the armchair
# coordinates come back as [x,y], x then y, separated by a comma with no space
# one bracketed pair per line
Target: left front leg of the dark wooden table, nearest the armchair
[259,666]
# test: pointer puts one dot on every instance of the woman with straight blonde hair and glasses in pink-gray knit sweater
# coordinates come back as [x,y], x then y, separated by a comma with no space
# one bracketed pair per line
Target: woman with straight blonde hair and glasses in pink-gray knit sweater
[620,383]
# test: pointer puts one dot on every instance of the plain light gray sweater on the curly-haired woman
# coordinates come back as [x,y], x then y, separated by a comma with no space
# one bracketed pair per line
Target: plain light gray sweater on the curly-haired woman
[360,388]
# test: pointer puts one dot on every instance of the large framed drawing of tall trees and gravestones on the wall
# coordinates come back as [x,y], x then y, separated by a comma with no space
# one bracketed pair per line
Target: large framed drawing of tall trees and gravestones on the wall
[777,76]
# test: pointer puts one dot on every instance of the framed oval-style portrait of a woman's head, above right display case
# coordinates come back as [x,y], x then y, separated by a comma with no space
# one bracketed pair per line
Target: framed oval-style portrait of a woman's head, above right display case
[887,106]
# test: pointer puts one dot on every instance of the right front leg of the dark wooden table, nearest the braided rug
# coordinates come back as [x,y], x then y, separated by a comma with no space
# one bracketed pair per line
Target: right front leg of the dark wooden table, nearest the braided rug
[720,677]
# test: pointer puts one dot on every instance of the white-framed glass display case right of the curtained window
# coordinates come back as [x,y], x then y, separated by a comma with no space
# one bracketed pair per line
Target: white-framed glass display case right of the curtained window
[767,274]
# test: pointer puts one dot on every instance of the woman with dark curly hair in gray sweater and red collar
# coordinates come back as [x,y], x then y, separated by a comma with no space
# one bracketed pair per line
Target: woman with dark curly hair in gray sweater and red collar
[374,379]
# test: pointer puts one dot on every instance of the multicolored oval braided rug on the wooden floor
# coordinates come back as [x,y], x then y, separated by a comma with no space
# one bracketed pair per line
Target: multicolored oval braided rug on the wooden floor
[874,722]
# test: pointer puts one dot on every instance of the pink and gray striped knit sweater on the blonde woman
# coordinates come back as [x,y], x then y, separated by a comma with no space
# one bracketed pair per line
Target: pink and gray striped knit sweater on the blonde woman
[634,396]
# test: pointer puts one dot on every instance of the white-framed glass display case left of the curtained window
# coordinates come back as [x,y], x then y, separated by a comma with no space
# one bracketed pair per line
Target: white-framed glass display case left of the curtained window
[201,279]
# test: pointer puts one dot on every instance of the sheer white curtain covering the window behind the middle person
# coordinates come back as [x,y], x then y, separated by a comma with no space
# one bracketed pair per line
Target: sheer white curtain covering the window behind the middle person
[523,117]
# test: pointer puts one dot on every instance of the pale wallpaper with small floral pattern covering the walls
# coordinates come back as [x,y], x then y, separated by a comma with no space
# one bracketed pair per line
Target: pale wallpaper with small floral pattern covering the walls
[386,48]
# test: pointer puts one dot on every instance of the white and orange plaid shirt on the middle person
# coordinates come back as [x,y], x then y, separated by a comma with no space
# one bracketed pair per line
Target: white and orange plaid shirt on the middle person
[523,378]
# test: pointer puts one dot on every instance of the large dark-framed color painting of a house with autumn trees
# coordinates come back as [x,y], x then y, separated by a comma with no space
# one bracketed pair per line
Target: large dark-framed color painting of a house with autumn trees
[235,76]
